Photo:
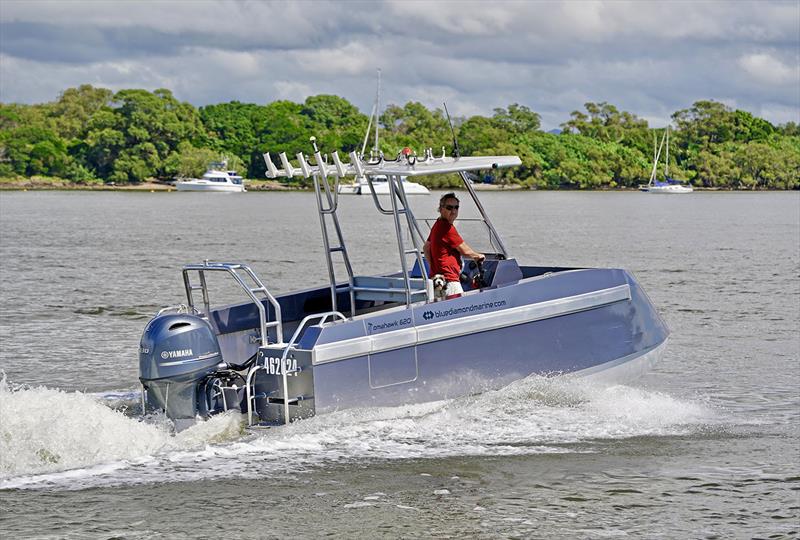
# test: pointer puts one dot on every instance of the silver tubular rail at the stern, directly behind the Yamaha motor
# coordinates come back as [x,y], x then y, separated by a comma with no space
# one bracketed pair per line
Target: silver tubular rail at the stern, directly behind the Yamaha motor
[231,269]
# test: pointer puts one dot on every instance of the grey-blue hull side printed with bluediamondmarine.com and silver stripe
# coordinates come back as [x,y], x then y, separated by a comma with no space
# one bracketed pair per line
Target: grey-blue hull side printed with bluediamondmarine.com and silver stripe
[581,321]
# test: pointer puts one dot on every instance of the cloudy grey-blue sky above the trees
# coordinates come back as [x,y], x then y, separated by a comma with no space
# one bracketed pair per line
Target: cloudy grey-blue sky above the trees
[650,58]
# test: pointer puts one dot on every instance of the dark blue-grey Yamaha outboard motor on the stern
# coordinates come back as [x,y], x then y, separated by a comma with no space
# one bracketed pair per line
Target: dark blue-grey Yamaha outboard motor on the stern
[181,368]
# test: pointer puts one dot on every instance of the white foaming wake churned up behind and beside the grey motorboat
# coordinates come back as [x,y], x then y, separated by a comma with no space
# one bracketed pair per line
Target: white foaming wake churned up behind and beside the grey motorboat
[70,440]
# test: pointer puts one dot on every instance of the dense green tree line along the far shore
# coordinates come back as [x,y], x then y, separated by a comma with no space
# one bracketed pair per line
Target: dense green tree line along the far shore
[92,135]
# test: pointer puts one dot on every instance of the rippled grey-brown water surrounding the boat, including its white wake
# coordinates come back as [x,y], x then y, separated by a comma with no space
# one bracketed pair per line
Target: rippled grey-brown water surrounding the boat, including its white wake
[705,446]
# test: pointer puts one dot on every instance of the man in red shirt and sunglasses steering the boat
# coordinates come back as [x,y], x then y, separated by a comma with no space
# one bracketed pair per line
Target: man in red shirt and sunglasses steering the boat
[444,247]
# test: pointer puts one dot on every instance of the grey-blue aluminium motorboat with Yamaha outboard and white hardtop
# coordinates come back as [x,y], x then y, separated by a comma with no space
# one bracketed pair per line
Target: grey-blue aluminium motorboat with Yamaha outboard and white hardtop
[386,339]
